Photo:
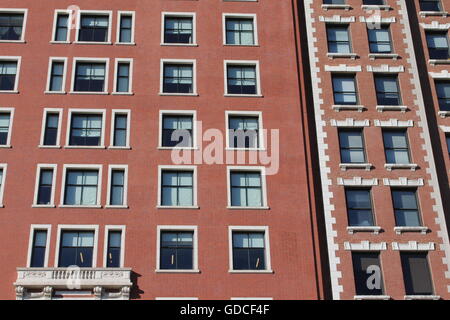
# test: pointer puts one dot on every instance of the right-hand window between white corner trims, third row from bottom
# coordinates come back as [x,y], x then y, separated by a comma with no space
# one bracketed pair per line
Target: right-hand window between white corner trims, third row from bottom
[396,146]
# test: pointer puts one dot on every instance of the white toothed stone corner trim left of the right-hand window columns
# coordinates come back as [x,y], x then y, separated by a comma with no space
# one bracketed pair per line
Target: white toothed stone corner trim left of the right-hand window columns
[333,247]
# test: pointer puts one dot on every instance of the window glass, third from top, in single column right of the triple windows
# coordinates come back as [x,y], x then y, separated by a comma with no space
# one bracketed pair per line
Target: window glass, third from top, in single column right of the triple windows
[177,131]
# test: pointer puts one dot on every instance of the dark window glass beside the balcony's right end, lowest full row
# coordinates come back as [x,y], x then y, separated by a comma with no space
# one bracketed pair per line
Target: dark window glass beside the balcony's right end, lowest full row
[177,250]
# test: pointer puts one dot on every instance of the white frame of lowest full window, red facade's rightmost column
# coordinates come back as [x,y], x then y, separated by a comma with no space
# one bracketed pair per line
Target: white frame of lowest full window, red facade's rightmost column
[264,229]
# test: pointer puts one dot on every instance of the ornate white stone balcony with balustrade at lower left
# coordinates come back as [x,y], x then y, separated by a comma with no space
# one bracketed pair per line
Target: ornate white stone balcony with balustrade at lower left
[95,283]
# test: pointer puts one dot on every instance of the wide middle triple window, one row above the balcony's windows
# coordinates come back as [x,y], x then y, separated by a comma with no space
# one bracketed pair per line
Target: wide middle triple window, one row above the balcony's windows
[81,187]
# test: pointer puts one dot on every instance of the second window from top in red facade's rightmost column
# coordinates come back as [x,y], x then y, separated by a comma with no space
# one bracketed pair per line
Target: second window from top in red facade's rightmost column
[242,79]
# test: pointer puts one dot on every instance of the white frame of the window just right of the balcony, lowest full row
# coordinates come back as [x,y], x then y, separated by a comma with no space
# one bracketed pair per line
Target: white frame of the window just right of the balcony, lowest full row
[182,228]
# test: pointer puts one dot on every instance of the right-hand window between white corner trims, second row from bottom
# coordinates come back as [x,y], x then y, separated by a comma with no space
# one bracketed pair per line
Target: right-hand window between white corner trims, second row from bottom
[406,208]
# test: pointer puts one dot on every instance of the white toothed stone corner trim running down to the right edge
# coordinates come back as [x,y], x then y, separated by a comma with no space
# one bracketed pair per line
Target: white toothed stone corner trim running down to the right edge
[436,194]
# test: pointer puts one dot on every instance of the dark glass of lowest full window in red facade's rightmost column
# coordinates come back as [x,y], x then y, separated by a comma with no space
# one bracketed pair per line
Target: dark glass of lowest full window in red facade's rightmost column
[249,251]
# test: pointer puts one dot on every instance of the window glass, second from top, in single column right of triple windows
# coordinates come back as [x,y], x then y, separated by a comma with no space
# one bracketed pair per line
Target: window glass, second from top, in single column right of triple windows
[178,78]
